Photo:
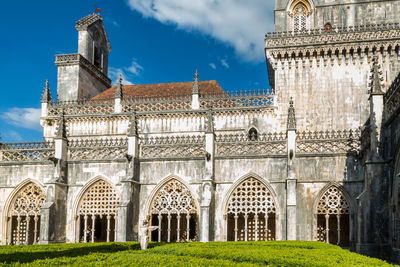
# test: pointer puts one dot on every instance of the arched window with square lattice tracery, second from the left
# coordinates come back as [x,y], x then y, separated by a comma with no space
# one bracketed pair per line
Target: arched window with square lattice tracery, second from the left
[97,213]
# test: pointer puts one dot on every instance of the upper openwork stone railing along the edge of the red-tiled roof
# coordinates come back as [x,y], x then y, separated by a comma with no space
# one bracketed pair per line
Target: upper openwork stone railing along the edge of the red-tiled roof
[226,100]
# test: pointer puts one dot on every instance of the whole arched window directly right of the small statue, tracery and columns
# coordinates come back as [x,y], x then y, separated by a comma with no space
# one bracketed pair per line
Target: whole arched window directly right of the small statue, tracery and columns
[174,211]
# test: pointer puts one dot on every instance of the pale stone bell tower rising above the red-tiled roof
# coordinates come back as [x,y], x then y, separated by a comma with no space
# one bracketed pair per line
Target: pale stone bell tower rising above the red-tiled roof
[84,75]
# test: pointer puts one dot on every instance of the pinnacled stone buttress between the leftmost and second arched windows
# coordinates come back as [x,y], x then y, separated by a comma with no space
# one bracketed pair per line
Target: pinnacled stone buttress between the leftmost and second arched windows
[53,213]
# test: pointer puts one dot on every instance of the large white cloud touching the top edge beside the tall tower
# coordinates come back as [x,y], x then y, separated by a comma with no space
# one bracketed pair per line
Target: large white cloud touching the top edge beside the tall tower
[239,23]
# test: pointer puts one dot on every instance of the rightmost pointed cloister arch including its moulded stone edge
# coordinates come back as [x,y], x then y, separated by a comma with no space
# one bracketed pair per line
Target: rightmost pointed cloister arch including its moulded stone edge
[332,214]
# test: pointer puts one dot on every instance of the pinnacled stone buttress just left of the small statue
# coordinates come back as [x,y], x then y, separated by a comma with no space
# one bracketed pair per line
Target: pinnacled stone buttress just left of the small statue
[128,220]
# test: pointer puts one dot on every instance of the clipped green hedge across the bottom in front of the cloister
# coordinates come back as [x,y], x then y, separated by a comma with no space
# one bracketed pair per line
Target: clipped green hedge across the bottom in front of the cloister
[288,253]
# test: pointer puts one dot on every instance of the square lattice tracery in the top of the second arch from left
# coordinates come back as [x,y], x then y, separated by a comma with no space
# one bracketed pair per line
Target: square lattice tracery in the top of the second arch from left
[100,199]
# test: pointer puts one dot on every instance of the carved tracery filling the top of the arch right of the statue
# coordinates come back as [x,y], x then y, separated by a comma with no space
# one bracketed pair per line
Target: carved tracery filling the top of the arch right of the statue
[173,198]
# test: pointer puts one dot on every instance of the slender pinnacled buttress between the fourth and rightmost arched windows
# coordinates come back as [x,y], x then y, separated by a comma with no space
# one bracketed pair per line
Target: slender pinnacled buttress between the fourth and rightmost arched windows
[291,181]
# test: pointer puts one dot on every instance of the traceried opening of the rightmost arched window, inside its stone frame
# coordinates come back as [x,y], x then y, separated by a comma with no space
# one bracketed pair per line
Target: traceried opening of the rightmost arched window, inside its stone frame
[333,215]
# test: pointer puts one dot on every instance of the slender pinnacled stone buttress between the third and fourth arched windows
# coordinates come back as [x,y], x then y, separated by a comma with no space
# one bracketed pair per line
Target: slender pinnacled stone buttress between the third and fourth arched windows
[207,192]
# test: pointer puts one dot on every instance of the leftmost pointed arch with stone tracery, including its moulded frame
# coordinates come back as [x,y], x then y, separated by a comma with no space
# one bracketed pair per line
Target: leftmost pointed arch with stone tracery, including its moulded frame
[21,215]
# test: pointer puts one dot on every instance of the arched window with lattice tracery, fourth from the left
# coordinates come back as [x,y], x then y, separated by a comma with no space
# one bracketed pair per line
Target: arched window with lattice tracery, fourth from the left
[251,212]
